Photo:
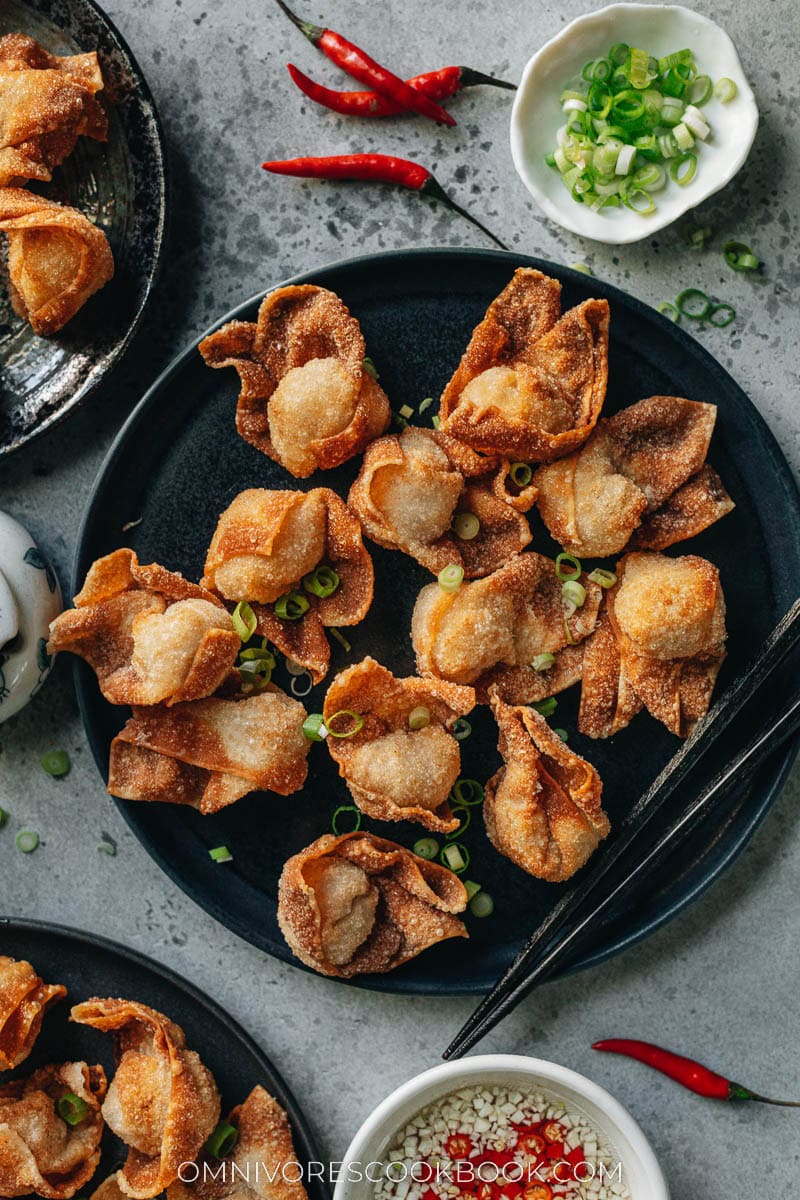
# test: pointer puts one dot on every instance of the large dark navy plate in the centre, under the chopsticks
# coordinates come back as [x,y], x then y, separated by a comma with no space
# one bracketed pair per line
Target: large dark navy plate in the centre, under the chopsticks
[179,463]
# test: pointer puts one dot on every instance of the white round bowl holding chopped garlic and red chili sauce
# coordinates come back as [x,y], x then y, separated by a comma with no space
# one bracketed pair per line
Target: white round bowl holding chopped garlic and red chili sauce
[641,1171]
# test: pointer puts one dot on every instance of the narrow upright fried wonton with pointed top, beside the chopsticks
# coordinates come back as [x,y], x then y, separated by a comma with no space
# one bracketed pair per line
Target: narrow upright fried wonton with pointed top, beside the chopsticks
[543,809]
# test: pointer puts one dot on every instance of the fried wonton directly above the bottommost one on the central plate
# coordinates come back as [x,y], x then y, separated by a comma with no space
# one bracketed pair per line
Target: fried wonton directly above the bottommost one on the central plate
[395,772]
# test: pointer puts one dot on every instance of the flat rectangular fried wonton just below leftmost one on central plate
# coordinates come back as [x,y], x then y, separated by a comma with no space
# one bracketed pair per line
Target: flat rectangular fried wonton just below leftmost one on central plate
[210,753]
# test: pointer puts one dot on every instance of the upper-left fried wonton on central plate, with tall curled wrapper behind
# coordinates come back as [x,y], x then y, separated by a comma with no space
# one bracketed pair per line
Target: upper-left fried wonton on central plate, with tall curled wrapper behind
[308,399]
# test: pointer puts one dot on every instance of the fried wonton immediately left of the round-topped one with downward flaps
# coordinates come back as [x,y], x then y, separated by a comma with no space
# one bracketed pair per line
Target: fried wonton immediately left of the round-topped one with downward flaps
[490,632]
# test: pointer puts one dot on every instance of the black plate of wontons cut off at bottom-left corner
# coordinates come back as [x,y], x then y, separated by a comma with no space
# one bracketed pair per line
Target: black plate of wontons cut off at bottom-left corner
[92,967]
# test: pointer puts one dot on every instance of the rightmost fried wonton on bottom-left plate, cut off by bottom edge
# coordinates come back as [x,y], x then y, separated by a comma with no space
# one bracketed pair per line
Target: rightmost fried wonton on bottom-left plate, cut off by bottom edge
[263,1165]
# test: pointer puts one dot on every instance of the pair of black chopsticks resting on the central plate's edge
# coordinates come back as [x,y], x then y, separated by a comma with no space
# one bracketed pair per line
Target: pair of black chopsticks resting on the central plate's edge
[582,910]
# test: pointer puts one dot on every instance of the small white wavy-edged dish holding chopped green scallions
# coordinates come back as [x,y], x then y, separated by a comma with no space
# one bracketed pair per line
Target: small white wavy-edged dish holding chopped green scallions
[660,29]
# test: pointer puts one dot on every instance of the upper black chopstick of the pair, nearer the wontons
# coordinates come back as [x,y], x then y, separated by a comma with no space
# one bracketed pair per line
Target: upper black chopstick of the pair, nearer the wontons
[514,985]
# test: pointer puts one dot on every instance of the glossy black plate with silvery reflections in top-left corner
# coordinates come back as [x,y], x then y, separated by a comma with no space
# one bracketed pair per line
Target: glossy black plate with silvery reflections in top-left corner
[121,184]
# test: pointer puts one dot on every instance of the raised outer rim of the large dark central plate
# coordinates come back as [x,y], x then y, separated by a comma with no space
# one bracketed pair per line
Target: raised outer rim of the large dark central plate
[393,983]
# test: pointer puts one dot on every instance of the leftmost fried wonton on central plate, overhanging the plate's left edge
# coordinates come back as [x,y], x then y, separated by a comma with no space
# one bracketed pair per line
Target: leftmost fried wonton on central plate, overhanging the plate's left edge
[149,634]
